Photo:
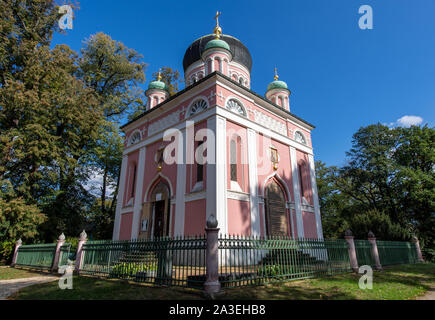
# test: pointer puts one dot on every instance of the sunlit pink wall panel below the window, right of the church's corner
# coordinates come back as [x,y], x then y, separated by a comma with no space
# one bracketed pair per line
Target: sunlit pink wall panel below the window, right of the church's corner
[239,217]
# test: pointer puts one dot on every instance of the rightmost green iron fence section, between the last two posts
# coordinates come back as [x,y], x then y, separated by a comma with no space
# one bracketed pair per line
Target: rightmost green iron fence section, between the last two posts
[396,252]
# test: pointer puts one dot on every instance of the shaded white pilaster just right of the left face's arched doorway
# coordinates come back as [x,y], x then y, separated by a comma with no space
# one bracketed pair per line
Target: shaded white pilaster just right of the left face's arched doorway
[181,186]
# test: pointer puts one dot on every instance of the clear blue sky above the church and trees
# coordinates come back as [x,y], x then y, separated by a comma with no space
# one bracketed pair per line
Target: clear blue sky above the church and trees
[341,77]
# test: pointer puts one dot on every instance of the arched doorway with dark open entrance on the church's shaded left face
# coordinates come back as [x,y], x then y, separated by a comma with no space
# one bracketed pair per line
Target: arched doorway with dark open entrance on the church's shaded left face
[156,213]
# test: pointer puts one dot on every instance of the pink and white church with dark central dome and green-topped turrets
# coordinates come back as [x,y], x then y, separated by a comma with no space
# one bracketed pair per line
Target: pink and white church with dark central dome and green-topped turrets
[258,177]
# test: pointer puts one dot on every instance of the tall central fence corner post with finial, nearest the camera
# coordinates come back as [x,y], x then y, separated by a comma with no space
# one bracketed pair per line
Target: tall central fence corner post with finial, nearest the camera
[212,285]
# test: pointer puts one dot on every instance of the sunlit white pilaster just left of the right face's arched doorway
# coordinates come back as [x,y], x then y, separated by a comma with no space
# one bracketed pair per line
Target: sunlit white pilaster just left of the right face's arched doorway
[253,182]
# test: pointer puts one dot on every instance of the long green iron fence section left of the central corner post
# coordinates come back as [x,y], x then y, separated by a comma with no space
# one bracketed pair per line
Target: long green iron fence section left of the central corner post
[179,261]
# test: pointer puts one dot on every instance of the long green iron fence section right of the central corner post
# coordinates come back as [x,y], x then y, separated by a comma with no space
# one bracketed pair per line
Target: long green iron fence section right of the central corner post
[245,261]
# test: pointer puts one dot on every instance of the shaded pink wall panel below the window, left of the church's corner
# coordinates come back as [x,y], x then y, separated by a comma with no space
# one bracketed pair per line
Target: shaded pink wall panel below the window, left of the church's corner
[195,217]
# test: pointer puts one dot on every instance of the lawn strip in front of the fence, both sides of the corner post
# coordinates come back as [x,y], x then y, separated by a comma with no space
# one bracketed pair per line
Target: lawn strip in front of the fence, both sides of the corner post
[394,283]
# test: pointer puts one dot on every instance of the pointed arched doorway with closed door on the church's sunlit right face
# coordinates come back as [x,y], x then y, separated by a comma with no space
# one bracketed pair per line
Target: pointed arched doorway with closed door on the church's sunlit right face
[276,212]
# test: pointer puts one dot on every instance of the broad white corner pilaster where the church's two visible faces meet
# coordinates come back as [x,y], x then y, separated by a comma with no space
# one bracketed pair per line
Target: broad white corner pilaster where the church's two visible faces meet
[217,174]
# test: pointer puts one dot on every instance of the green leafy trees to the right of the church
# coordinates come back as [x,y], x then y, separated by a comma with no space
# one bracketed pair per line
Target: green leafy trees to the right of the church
[386,187]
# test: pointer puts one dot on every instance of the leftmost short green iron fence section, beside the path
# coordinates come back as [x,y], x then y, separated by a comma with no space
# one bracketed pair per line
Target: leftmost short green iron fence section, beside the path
[36,255]
